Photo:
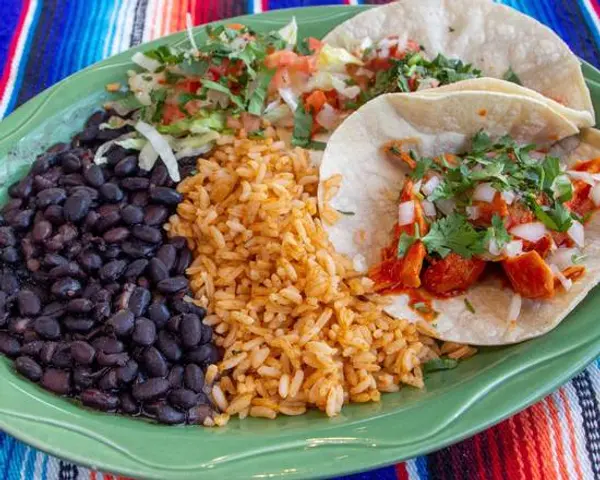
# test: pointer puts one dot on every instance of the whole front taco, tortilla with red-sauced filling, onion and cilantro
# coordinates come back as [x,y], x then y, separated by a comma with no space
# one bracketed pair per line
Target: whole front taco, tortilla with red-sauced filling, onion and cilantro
[472,211]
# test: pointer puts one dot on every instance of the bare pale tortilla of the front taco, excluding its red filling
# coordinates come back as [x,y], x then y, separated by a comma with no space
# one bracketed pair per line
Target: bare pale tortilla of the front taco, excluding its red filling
[435,124]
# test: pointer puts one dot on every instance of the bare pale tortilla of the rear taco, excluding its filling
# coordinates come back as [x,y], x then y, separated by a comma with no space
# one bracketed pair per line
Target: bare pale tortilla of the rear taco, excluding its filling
[492,37]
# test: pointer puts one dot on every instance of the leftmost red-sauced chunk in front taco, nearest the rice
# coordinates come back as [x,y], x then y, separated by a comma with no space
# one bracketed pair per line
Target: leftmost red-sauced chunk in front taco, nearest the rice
[397,273]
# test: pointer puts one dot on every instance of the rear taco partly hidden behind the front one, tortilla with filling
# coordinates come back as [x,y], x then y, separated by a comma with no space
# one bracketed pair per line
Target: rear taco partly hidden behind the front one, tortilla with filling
[413,45]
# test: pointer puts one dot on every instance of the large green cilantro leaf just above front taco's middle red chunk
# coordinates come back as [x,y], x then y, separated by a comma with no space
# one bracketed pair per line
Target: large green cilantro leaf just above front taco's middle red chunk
[453,234]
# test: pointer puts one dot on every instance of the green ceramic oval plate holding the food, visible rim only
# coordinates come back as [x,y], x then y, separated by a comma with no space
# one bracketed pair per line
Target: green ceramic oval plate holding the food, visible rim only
[456,404]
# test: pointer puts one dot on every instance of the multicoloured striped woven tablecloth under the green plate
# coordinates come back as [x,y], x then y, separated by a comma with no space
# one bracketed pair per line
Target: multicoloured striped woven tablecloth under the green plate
[43,41]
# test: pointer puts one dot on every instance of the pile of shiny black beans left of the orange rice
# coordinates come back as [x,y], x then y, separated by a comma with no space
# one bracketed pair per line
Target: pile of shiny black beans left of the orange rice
[92,291]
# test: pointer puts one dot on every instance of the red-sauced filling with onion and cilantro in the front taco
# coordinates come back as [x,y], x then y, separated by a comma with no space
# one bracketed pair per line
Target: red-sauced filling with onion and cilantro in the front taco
[499,205]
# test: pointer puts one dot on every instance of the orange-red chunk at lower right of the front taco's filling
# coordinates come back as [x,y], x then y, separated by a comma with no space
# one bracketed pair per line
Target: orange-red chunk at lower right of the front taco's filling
[529,275]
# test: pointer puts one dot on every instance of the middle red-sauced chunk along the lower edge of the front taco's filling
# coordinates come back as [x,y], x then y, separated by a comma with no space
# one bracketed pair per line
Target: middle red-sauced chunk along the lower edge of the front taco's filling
[452,274]
